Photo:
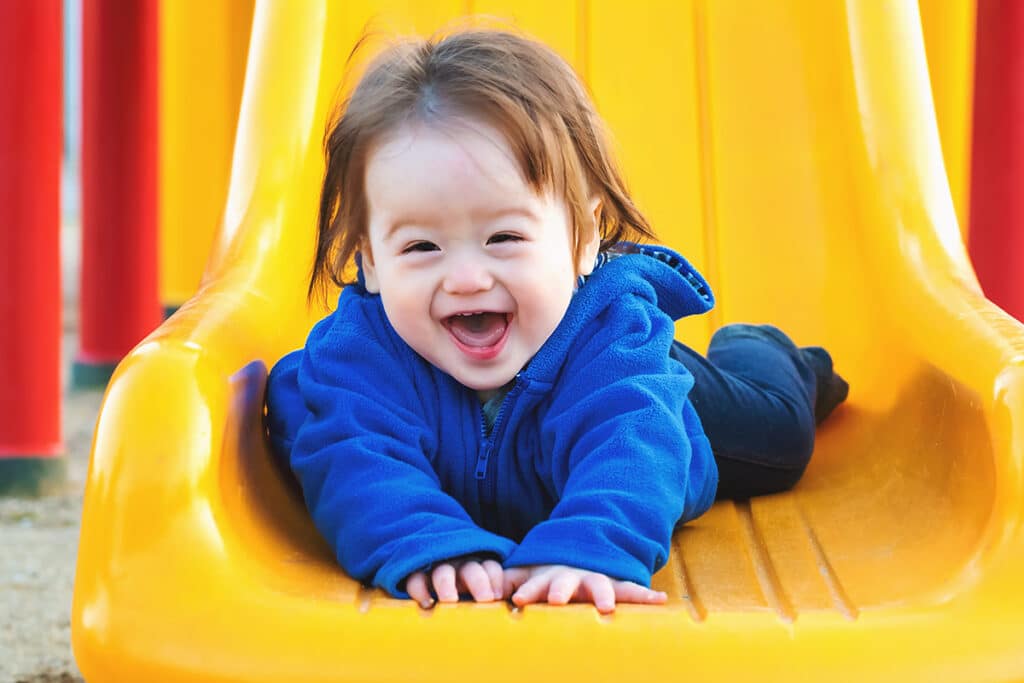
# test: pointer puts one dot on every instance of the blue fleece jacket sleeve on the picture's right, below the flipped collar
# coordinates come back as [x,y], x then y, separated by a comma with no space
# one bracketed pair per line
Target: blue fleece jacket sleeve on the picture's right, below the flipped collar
[628,454]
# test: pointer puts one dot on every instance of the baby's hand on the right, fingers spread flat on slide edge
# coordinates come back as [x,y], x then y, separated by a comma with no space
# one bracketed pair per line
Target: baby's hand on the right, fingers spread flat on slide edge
[560,585]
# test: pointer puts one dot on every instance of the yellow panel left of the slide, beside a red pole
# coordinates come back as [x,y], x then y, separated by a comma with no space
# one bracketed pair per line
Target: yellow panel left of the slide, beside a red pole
[203,49]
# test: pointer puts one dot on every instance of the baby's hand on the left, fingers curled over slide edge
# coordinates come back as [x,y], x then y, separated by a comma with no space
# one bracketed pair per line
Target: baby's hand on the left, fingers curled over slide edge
[482,579]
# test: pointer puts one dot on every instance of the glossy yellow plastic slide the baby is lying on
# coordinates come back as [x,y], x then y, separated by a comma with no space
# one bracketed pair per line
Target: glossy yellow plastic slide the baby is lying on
[790,149]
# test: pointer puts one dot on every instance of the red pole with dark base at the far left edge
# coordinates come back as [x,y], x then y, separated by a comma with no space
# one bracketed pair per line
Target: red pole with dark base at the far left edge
[30,254]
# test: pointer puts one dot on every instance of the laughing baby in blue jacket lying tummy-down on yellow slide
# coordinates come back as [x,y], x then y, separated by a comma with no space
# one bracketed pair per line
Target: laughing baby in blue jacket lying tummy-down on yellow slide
[497,407]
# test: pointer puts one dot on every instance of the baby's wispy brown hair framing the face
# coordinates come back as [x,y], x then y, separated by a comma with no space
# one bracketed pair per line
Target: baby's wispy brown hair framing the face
[518,86]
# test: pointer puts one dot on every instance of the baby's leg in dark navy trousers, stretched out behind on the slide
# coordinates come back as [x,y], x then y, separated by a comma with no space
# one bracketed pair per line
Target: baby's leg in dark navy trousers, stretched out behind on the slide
[759,398]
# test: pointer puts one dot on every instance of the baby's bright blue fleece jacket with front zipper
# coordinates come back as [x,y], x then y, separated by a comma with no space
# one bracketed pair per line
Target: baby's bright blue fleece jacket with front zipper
[594,458]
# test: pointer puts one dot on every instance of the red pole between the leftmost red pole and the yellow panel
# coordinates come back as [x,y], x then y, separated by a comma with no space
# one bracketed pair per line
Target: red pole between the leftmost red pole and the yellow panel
[119,300]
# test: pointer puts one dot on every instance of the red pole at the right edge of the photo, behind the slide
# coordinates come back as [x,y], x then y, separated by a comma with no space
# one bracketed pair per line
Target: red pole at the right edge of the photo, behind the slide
[997,234]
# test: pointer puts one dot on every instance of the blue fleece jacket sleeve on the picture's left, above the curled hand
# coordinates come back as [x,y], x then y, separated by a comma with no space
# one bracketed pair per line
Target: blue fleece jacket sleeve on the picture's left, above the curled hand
[361,453]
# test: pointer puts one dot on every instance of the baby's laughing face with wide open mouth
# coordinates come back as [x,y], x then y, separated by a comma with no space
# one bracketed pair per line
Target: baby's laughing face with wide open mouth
[476,270]
